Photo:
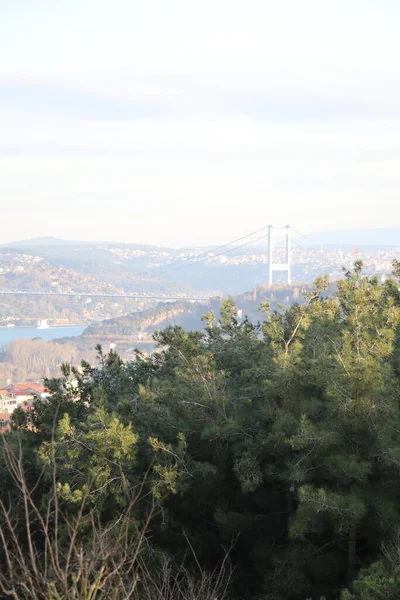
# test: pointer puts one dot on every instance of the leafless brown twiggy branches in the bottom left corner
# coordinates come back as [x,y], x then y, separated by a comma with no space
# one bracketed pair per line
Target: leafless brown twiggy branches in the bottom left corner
[50,555]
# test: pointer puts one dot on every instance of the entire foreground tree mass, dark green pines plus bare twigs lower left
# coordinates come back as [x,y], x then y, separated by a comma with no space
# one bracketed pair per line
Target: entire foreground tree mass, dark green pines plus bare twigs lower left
[244,461]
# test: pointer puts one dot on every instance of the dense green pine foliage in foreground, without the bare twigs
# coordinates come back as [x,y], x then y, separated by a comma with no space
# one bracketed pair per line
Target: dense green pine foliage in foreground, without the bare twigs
[281,438]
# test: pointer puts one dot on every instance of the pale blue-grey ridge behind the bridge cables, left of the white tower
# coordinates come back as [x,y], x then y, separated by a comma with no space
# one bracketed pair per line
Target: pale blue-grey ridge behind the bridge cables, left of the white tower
[137,267]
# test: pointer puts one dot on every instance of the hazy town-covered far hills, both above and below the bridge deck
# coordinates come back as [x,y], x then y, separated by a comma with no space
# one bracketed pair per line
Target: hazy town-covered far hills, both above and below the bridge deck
[50,264]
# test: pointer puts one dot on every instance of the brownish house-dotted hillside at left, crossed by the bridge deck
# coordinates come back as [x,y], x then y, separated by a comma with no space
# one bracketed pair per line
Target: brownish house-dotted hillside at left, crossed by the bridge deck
[65,270]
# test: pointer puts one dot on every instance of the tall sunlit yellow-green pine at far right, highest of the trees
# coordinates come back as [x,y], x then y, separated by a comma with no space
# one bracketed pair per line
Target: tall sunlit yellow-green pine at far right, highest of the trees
[349,450]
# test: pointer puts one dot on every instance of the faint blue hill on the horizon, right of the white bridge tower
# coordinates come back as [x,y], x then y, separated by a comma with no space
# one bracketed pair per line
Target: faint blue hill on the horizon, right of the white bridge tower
[358,237]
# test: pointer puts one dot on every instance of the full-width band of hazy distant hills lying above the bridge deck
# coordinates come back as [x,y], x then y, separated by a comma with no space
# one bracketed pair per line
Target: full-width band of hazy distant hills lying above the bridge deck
[150,269]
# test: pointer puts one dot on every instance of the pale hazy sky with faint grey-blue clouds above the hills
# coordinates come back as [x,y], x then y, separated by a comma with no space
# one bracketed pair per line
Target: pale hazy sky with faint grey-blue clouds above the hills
[195,121]
